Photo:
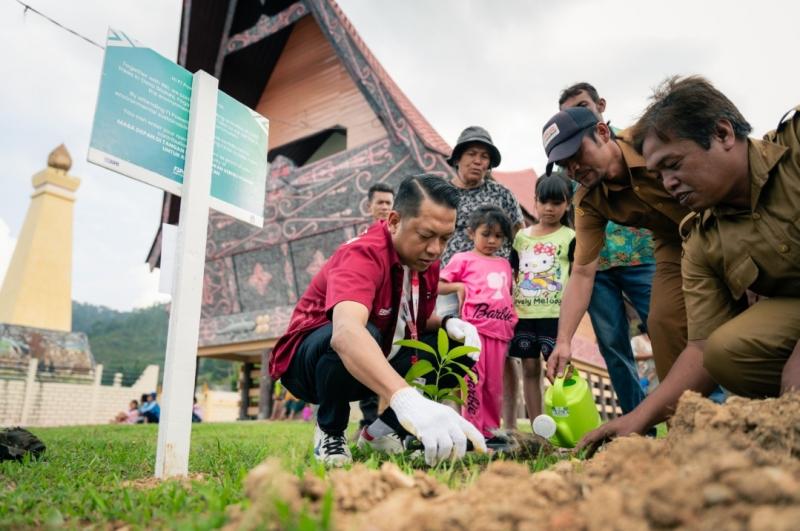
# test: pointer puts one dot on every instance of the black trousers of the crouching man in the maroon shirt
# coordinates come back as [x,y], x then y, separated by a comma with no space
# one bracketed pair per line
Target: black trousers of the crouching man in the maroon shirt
[317,375]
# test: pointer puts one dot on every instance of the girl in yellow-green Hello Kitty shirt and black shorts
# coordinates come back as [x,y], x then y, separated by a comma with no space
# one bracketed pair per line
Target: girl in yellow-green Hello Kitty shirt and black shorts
[541,259]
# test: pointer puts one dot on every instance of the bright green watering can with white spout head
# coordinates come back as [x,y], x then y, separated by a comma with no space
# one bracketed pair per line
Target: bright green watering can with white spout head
[570,406]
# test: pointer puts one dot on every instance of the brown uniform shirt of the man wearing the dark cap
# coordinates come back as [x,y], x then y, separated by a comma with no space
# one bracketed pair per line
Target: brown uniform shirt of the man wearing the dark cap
[638,201]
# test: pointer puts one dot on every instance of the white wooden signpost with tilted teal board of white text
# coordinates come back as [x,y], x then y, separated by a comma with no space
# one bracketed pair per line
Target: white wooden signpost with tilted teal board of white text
[158,123]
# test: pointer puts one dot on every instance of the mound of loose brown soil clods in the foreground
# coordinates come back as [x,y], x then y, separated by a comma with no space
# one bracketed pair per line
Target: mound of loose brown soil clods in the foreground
[735,466]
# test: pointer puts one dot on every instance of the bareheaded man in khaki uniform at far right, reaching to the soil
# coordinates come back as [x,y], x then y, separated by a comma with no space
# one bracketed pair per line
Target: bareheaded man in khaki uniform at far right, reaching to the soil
[744,235]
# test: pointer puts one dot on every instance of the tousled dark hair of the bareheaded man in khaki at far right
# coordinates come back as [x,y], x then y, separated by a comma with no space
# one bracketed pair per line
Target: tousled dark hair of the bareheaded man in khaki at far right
[688,108]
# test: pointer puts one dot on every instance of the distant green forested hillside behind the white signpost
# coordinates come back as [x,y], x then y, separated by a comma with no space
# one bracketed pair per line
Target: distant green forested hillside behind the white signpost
[127,342]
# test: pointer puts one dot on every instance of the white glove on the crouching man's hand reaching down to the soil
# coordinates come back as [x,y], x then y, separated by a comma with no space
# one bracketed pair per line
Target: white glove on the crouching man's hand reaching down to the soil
[441,430]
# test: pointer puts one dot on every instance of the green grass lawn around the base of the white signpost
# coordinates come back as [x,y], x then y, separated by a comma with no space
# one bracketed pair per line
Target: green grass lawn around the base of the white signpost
[97,476]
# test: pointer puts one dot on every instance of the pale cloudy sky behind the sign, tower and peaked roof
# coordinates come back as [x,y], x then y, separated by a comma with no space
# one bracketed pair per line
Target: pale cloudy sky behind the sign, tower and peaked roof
[500,64]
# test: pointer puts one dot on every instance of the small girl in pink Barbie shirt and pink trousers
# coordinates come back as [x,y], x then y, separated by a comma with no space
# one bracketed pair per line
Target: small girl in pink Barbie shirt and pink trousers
[482,281]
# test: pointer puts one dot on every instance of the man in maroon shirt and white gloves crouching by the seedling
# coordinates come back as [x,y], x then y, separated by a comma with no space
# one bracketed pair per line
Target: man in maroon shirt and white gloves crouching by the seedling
[375,289]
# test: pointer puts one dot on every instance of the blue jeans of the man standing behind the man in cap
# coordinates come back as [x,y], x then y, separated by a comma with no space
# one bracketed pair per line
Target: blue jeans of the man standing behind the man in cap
[611,326]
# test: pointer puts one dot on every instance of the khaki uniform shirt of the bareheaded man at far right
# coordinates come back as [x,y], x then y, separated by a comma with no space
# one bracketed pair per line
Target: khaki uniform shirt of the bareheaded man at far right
[730,250]
